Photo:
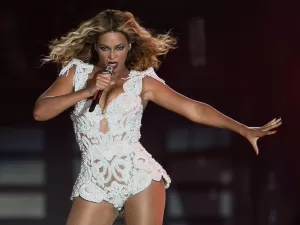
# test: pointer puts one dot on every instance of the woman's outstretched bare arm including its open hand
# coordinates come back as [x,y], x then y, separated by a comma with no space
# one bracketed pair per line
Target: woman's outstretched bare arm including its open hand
[203,113]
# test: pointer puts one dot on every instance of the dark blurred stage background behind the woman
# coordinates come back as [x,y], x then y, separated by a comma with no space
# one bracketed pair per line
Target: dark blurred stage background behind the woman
[250,74]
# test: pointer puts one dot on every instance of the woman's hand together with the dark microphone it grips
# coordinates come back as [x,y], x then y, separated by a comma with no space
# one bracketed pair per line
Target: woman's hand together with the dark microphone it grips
[100,81]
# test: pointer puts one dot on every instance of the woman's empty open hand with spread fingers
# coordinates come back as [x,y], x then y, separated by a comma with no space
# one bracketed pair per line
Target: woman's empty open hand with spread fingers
[252,134]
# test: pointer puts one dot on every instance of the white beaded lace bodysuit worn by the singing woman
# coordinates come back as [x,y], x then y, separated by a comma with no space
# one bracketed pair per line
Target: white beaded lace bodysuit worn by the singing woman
[114,165]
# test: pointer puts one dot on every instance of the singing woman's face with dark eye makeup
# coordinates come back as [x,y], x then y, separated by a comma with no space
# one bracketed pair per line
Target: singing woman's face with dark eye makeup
[112,49]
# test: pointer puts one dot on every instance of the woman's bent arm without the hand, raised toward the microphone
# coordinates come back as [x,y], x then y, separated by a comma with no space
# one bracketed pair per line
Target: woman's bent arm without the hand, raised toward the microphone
[58,97]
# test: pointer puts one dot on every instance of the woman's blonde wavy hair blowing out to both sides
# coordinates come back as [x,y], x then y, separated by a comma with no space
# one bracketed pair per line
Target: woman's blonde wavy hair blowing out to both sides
[146,45]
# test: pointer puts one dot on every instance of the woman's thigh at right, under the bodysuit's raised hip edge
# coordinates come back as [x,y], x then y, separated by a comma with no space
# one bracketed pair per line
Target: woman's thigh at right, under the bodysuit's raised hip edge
[146,207]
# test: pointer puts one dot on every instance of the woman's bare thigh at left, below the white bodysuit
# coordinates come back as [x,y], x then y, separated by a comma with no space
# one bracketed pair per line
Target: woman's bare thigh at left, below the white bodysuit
[89,213]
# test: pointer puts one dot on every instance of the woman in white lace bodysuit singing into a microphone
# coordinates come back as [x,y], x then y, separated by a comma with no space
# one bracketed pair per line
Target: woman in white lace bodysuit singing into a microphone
[117,173]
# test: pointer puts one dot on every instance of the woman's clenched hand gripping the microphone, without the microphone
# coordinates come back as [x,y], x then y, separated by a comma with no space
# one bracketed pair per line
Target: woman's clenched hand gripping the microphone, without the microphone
[100,81]
